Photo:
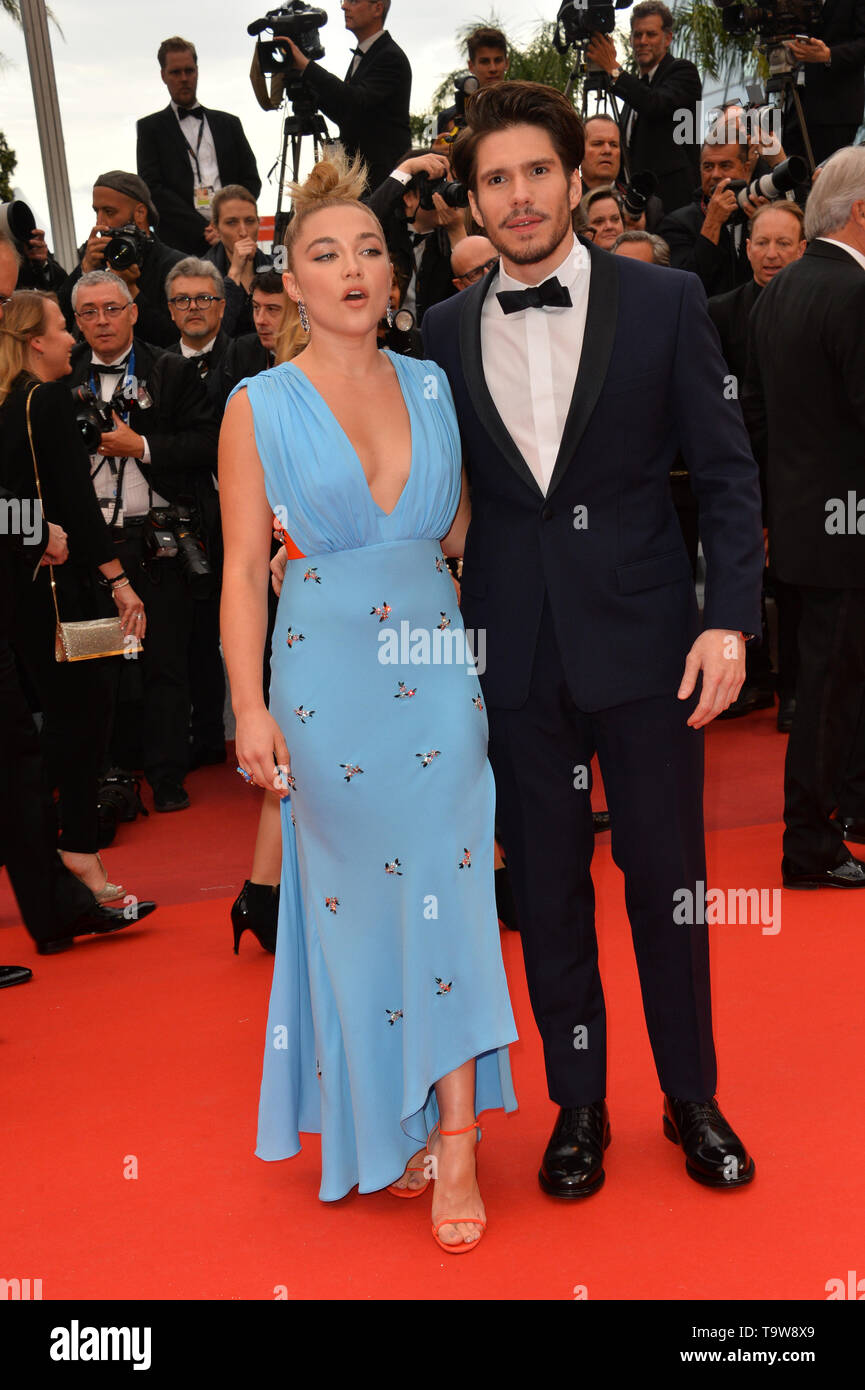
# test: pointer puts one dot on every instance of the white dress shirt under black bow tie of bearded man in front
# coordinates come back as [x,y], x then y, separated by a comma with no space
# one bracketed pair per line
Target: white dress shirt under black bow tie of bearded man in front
[531,362]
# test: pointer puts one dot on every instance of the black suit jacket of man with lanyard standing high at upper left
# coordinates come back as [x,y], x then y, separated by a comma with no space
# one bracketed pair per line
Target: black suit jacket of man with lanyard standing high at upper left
[163,162]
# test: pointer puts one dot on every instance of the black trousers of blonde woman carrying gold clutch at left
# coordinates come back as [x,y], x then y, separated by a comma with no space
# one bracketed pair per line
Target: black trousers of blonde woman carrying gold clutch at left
[76,700]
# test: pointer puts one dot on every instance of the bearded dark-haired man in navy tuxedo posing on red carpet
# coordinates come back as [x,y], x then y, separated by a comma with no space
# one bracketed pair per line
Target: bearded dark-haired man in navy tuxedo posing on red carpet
[578,376]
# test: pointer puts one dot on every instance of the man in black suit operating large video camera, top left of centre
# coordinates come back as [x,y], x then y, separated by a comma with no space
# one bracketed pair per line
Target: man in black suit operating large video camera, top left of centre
[372,105]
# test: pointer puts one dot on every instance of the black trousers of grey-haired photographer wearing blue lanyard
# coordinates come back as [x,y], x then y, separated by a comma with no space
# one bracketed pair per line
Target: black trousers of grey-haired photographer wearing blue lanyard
[152,723]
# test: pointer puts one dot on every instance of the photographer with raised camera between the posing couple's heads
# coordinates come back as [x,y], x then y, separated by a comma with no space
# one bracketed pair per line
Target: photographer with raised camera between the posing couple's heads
[421,238]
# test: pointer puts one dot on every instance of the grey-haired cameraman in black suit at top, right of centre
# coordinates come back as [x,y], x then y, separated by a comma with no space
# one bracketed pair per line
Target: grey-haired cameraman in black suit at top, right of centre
[656,104]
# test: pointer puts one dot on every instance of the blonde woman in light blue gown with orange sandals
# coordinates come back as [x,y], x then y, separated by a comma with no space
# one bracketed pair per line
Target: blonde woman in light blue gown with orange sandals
[390,1018]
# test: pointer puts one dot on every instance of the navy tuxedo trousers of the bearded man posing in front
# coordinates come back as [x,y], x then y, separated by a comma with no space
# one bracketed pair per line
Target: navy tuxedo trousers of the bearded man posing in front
[653,776]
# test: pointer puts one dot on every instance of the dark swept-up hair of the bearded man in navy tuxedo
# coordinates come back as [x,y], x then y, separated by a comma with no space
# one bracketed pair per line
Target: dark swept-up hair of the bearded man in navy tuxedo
[518,104]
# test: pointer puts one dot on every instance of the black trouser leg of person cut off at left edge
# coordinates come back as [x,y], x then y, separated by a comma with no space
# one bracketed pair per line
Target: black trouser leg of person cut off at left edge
[49,897]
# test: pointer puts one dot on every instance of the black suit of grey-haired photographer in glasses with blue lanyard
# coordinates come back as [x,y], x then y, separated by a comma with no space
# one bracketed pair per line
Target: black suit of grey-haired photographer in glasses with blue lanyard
[154,715]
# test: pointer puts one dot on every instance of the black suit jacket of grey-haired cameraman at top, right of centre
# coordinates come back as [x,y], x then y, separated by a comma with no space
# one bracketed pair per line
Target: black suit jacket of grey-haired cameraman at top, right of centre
[677,88]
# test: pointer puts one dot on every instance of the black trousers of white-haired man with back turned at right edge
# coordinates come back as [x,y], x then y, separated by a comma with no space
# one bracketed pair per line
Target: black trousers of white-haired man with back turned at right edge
[830,697]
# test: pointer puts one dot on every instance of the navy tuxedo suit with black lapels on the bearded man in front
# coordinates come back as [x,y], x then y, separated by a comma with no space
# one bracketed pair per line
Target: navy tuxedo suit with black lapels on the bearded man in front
[586,644]
